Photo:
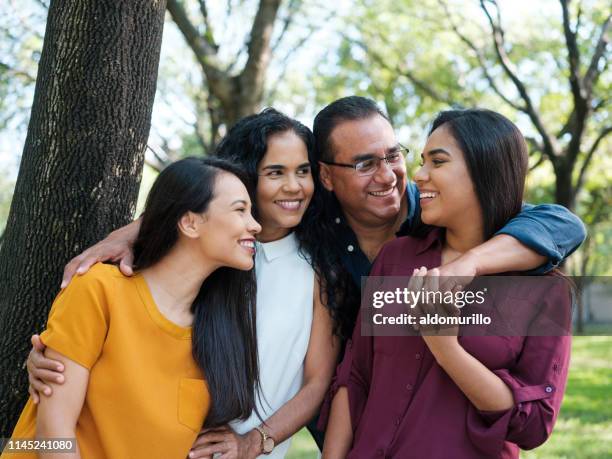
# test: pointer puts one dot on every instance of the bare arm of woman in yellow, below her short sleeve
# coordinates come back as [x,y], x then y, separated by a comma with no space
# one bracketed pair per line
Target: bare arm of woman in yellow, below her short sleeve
[57,416]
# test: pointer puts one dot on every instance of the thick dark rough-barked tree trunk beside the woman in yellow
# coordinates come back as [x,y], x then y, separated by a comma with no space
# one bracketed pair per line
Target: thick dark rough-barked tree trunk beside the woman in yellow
[81,165]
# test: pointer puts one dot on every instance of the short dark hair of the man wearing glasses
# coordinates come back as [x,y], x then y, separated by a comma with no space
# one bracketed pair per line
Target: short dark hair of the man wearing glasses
[350,108]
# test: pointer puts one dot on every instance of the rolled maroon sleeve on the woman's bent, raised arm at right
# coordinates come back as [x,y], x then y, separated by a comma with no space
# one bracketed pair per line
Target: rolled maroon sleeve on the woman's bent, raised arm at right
[537,381]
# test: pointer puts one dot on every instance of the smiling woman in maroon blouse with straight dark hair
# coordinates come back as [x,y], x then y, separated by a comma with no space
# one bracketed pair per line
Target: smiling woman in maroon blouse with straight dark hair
[449,396]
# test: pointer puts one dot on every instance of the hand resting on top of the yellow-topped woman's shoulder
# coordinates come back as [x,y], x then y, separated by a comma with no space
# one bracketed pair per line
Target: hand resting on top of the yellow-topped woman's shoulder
[116,247]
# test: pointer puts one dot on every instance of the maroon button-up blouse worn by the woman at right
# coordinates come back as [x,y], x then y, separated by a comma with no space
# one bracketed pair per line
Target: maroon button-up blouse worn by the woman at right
[404,405]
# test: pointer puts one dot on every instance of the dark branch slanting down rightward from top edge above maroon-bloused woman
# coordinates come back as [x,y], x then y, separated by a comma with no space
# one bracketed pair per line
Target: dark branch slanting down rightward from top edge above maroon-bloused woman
[549,144]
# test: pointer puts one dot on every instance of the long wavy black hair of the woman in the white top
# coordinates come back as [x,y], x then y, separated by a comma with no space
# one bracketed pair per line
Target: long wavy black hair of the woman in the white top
[246,143]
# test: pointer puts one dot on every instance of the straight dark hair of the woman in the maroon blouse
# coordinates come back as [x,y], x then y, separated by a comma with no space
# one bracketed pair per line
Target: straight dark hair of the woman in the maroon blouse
[495,152]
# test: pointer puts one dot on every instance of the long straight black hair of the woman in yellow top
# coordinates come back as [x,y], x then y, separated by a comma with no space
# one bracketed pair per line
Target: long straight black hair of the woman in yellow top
[223,336]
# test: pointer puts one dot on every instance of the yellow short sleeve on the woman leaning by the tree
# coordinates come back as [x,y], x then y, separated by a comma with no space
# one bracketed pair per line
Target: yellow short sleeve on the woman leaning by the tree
[79,318]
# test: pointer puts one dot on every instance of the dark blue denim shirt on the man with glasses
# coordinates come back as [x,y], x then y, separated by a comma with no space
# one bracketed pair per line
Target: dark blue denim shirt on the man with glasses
[549,229]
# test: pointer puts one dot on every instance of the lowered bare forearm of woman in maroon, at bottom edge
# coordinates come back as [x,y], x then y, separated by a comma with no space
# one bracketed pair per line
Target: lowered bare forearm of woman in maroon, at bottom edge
[339,434]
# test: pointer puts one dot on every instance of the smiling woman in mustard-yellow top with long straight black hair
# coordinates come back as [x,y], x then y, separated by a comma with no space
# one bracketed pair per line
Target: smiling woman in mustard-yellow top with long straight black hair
[138,382]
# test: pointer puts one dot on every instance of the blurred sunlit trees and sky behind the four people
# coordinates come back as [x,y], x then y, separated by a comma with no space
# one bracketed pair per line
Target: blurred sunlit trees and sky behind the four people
[545,64]
